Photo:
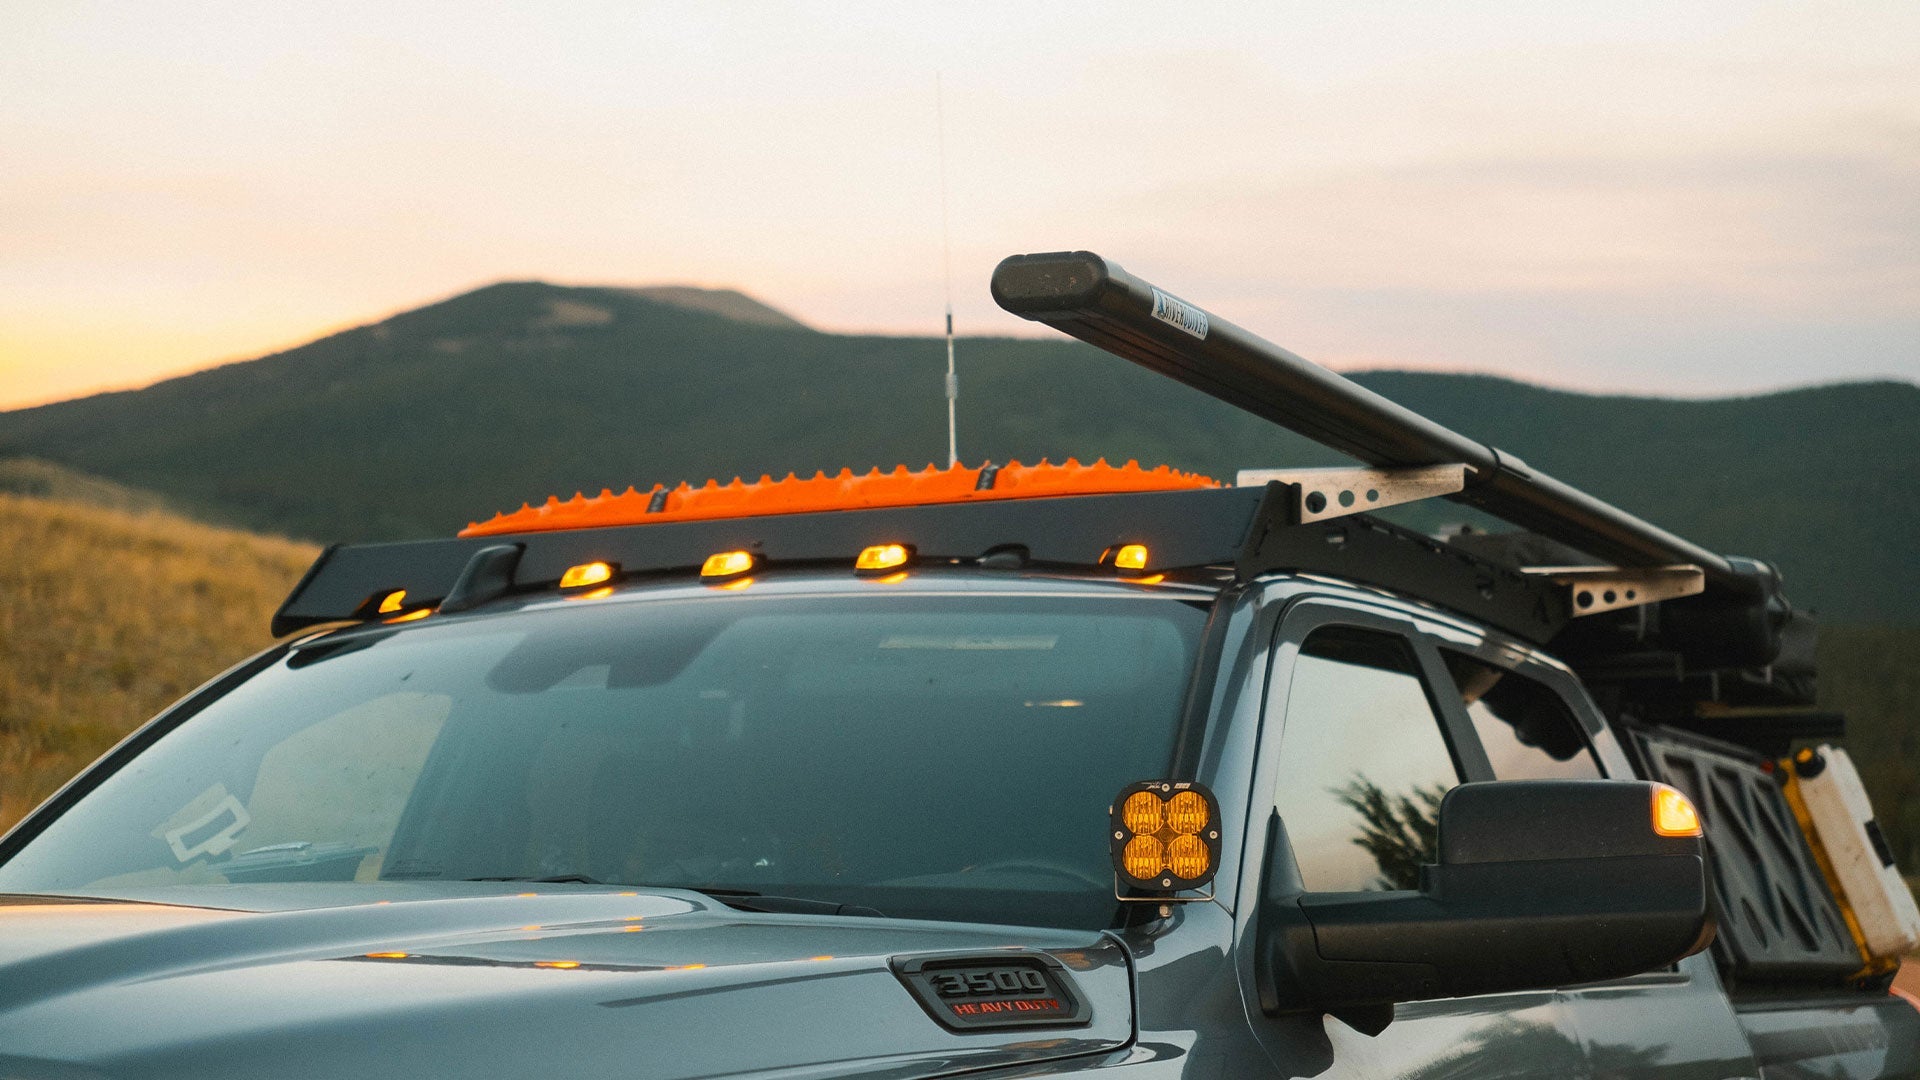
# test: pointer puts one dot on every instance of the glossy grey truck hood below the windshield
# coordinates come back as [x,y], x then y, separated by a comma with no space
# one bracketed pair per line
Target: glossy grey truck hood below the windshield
[567,981]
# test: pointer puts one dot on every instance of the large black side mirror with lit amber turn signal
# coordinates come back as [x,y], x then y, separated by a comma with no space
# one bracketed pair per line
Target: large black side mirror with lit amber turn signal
[1541,883]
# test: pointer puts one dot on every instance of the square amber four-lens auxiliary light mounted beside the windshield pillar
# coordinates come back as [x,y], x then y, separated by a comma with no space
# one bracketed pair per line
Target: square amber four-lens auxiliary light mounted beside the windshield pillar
[1164,837]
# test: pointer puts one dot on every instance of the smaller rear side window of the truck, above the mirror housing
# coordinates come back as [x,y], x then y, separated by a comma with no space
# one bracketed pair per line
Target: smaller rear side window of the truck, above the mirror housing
[1525,727]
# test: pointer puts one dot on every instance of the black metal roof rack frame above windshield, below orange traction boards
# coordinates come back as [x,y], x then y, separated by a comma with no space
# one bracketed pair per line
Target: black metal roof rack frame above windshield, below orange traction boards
[1249,529]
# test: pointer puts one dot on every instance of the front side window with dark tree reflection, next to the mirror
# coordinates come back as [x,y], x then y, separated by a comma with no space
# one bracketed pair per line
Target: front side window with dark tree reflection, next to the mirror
[1362,764]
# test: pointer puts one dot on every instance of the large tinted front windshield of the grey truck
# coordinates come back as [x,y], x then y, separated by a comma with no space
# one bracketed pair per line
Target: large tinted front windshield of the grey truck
[944,756]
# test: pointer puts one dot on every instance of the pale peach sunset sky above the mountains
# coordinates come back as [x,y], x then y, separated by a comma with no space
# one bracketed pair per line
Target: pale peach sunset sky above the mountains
[1662,199]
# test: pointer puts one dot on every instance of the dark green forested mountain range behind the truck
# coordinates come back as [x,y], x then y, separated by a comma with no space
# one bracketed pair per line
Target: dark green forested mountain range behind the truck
[441,416]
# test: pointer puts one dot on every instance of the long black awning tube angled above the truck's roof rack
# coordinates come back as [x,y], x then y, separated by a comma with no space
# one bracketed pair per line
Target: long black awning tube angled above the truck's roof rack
[1099,303]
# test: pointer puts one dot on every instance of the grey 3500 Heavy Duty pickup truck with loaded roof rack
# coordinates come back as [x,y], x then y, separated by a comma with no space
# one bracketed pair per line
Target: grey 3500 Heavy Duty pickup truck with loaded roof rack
[1001,772]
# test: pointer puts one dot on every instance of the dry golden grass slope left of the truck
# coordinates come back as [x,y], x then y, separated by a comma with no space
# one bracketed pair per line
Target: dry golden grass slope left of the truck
[107,616]
